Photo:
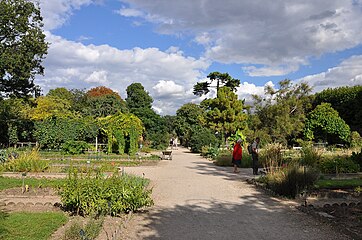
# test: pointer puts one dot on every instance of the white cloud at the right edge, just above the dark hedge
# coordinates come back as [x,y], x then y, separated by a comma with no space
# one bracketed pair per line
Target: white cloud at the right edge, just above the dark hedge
[348,73]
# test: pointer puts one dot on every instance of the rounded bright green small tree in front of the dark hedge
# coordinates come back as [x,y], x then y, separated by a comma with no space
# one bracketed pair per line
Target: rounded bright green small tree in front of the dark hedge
[324,123]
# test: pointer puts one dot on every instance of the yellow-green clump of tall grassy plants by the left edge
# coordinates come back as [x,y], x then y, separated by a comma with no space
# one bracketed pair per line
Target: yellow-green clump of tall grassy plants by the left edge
[28,161]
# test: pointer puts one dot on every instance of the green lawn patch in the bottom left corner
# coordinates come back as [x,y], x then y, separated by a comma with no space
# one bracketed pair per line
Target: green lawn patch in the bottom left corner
[30,226]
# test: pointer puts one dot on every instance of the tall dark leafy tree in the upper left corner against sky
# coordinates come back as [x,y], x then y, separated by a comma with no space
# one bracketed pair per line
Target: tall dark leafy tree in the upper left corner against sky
[22,47]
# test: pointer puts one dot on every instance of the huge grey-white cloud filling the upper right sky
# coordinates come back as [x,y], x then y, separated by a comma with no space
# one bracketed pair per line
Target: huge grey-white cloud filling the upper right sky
[280,34]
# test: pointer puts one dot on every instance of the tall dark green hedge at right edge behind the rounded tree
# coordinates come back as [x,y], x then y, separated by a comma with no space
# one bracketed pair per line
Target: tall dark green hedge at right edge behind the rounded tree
[345,100]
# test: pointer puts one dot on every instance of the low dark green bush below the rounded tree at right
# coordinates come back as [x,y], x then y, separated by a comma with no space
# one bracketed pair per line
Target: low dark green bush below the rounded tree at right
[338,165]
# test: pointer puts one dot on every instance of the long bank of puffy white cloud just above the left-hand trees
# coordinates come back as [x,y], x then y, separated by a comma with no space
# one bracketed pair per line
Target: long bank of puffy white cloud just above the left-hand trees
[75,65]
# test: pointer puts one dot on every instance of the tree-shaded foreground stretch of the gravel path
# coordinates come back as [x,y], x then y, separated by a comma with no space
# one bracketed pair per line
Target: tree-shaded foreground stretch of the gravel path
[255,217]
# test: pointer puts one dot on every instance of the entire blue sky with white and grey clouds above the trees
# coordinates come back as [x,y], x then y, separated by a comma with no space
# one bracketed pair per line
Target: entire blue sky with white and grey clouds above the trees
[169,46]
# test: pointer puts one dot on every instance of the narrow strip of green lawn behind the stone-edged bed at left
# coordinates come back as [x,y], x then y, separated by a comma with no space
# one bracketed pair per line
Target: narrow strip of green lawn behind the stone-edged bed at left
[6,182]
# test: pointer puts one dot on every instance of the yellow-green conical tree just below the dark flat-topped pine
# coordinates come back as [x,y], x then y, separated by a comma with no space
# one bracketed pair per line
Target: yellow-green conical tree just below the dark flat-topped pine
[224,114]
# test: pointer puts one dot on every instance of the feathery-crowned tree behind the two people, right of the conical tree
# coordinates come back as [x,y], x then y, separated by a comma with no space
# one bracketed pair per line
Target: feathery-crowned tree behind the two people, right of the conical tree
[281,113]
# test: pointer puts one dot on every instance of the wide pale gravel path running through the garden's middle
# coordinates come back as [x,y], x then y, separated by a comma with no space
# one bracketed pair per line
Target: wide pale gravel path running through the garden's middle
[195,199]
